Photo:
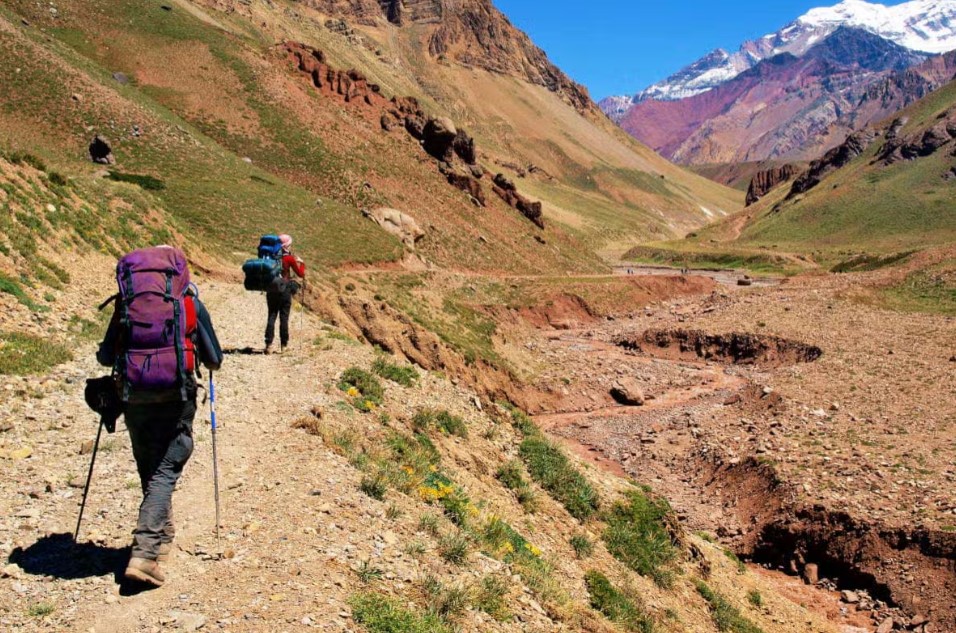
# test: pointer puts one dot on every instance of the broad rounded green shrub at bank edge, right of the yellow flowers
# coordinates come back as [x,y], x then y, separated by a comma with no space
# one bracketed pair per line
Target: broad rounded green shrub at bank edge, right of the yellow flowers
[637,534]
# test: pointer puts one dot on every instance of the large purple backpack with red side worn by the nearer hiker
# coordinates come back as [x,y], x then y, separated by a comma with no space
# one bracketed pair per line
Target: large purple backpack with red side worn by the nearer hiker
[157,319]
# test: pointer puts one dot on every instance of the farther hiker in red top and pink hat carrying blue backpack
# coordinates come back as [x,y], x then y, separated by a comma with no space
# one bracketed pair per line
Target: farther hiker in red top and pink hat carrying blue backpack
[272,272]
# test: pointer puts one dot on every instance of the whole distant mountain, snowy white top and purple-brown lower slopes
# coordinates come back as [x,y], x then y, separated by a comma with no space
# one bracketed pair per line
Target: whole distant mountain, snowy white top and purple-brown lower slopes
[795,93]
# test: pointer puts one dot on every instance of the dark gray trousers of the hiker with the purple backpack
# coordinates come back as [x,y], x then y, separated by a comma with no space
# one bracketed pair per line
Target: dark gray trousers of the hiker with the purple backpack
[161,435]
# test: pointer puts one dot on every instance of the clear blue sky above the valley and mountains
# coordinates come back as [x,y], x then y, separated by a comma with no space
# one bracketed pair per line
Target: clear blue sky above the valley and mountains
[622,46]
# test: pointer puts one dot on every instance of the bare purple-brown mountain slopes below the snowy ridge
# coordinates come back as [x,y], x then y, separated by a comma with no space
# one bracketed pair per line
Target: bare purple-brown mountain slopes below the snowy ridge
[791,108]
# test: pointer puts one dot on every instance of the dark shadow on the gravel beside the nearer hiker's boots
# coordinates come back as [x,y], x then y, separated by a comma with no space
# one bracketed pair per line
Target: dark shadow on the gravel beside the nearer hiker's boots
[57,555]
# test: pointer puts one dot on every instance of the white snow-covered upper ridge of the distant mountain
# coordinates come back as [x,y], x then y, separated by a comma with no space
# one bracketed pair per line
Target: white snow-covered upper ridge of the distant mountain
[927,26]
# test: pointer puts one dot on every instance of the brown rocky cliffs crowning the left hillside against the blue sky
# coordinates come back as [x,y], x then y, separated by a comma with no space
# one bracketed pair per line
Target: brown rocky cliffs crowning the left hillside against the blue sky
[470,32]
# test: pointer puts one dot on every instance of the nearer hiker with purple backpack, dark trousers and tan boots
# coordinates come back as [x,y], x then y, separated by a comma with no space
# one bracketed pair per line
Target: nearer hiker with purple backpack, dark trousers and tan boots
[159,335]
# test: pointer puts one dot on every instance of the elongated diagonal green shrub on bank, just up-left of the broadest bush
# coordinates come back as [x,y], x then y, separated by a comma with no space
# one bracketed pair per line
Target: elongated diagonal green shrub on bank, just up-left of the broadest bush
[551,469]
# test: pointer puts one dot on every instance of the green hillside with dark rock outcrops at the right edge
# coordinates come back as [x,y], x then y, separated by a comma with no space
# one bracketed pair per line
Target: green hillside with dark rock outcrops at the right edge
[885,190]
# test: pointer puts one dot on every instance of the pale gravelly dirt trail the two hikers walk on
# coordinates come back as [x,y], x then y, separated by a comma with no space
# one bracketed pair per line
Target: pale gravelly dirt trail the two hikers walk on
[271,492]
